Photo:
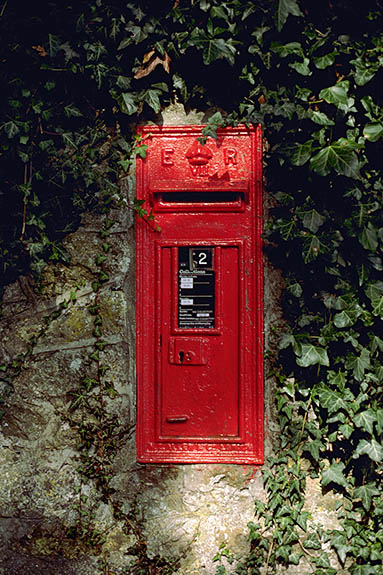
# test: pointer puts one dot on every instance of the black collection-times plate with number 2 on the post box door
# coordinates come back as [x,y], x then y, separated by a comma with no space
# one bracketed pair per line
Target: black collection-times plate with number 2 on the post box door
[196,287]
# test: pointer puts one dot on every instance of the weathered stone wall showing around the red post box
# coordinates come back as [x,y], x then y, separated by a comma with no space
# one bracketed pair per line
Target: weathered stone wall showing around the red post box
[143,518]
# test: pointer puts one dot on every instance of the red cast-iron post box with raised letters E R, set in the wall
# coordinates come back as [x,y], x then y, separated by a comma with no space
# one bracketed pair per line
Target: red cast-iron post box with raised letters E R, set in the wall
[199,297]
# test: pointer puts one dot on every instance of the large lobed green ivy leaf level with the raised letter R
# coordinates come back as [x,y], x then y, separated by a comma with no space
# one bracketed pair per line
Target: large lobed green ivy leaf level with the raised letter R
[340,156]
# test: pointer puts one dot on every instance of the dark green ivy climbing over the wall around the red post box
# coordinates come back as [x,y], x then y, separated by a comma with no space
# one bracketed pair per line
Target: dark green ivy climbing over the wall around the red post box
[80,77]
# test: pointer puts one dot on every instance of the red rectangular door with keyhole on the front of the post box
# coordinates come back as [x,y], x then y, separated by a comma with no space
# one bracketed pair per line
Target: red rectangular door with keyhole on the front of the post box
[199,375]
